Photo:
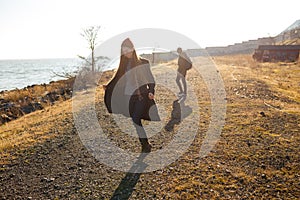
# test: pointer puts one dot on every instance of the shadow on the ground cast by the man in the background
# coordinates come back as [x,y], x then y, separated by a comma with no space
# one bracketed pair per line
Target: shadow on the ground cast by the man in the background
[179,112]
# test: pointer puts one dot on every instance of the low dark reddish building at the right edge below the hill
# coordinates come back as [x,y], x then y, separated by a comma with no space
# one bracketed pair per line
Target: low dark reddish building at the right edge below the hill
[276,53]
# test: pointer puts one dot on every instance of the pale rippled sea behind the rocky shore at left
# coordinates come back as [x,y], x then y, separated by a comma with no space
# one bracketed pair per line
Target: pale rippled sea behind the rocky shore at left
[22,73]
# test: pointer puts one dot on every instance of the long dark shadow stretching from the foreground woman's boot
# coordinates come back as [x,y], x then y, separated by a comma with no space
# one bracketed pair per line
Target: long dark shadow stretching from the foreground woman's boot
[128,183]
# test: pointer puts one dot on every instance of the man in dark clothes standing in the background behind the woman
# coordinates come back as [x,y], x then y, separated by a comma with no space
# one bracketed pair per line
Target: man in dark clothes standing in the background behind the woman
[184,64]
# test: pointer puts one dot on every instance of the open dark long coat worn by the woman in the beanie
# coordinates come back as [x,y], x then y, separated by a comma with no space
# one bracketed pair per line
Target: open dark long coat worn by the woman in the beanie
[117,102]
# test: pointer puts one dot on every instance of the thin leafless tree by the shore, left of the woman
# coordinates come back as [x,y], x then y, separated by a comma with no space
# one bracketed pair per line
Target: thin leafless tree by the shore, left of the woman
[90,34]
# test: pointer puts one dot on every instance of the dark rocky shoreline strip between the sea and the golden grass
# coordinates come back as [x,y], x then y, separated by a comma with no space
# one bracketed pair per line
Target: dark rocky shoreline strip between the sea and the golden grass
[19,102]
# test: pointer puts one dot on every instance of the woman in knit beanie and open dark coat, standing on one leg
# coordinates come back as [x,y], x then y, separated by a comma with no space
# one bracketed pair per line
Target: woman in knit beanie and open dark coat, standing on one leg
[131,91]
